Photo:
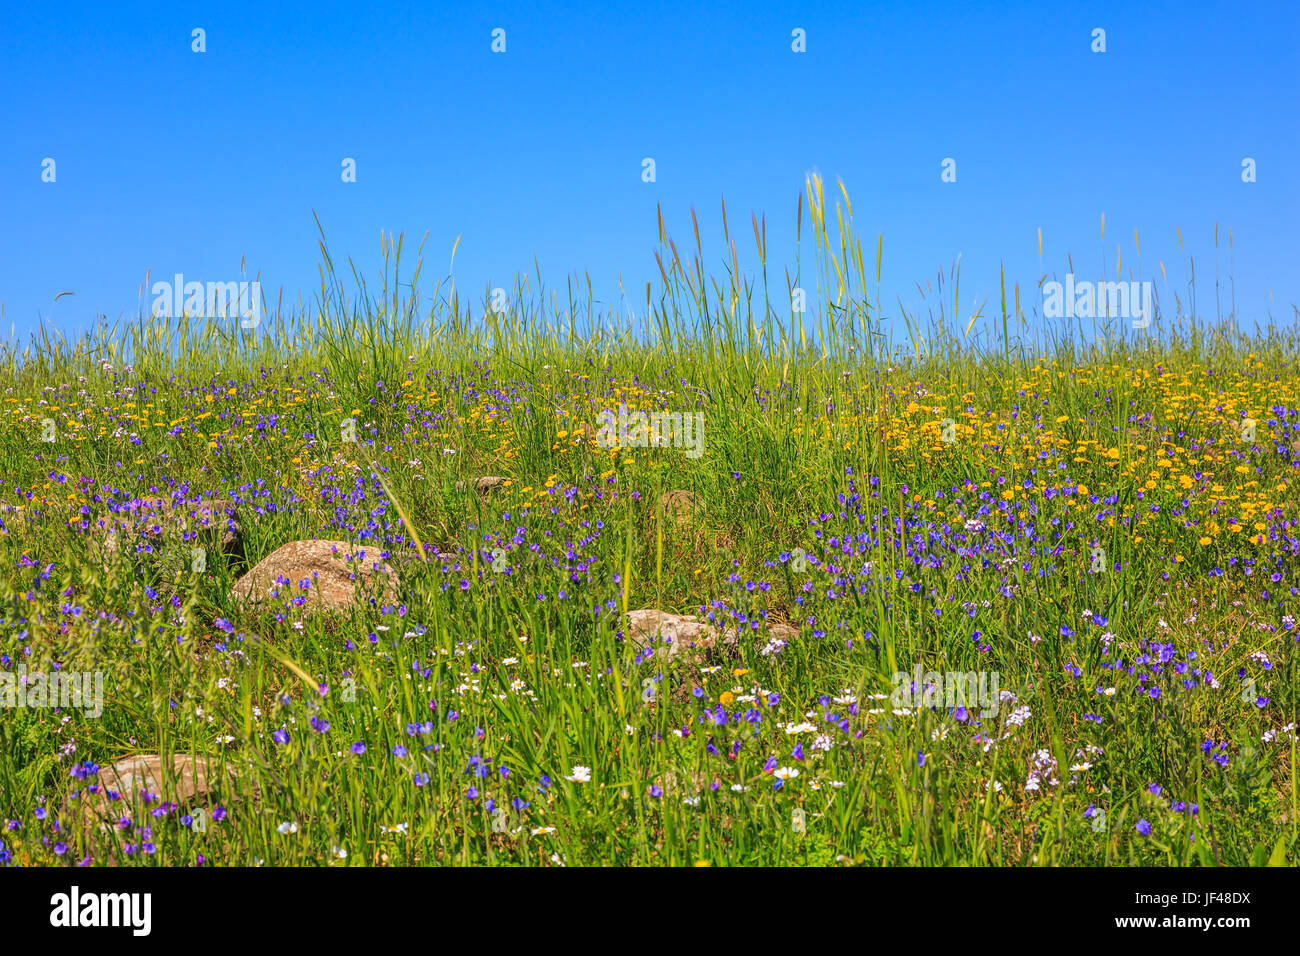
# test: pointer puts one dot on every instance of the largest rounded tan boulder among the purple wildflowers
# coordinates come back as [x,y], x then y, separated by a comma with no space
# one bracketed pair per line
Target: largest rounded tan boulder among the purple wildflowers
[331,570]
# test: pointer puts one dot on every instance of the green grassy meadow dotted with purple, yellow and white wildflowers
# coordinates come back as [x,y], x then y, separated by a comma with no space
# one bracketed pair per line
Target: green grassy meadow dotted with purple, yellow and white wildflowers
[1097,524]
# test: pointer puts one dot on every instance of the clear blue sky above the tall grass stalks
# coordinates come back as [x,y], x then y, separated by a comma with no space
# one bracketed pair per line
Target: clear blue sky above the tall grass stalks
[179,162]
